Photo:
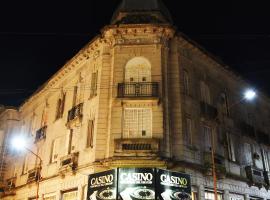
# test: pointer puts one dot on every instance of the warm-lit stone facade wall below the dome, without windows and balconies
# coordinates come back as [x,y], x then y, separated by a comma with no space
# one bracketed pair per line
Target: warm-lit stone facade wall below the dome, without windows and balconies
[170,56]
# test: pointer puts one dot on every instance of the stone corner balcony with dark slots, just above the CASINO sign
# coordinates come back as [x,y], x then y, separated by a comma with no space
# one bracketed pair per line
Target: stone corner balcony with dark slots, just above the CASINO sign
[136,147]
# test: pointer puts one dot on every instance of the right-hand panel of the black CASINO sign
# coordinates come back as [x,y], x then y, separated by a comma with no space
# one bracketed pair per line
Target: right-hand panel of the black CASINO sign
[173,185]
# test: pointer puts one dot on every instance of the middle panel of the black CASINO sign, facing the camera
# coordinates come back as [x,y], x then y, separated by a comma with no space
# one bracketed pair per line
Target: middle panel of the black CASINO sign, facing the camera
[136,184]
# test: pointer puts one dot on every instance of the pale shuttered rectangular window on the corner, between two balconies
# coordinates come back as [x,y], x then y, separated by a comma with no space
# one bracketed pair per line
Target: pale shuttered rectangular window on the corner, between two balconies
[137,123]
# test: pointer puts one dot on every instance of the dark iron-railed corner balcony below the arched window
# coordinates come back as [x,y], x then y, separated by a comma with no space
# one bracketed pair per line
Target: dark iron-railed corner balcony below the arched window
[134,90]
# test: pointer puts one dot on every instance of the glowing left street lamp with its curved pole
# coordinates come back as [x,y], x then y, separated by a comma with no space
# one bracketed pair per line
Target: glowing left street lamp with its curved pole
[19,143]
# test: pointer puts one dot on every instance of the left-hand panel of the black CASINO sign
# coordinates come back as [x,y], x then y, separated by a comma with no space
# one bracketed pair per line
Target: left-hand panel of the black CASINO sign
[102,186]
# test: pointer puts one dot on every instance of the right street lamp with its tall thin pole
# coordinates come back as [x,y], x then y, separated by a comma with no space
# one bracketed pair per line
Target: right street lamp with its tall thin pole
[249,95]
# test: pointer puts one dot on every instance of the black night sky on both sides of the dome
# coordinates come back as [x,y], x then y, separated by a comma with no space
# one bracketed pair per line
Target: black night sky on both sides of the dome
[38,37]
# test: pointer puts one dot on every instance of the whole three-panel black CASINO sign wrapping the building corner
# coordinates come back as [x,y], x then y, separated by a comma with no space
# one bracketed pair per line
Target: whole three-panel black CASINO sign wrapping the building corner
[139,184]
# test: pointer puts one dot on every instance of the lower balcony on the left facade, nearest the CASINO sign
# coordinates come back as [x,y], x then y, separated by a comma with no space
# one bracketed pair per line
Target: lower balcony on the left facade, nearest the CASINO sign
[69,162]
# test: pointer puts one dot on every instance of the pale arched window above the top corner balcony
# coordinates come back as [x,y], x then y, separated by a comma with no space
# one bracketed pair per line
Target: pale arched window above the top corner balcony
[138,69]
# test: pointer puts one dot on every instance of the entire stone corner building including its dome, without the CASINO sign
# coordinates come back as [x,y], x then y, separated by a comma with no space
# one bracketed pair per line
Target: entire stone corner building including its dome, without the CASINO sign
[140,95]
